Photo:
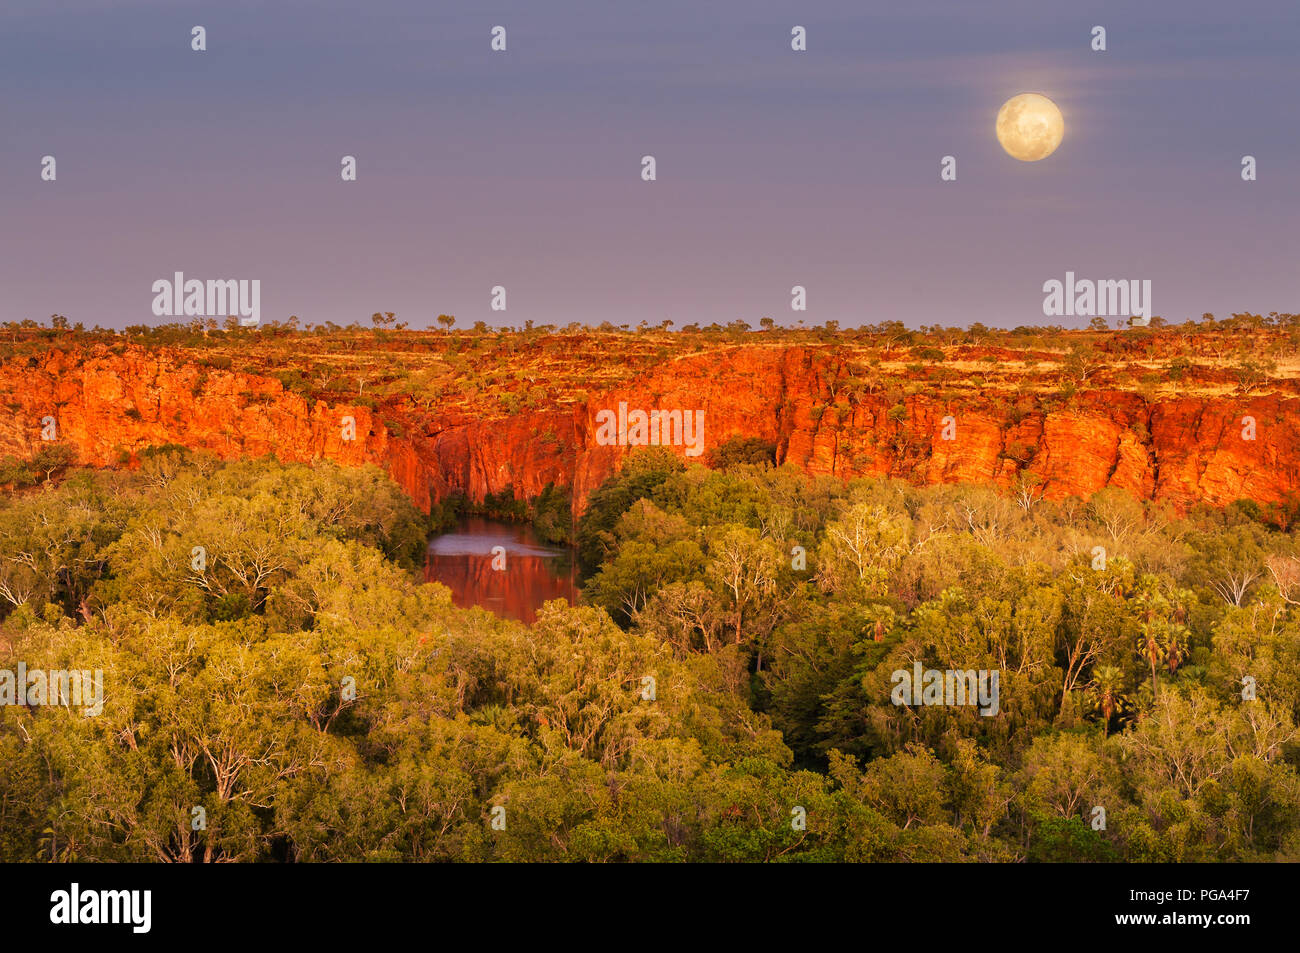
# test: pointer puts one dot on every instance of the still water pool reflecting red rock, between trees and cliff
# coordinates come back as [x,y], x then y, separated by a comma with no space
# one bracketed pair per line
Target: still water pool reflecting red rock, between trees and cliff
[535,573]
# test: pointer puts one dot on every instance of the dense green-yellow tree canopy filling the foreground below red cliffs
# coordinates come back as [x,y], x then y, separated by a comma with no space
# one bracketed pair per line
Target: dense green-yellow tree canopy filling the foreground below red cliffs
[229,688]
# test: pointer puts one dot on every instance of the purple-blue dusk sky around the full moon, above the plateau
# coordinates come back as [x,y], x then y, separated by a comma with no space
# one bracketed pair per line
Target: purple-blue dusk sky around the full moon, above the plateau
[523,168]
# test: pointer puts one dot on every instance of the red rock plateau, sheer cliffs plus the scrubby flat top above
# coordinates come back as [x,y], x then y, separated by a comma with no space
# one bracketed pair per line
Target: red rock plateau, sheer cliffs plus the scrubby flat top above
[448,417]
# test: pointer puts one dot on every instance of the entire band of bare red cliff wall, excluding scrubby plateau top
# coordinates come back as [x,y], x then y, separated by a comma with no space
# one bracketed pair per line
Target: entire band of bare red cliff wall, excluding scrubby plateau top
[1214,449]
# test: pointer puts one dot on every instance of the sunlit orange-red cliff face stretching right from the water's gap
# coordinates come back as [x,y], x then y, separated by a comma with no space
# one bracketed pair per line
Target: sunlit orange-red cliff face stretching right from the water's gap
[1181,452]
